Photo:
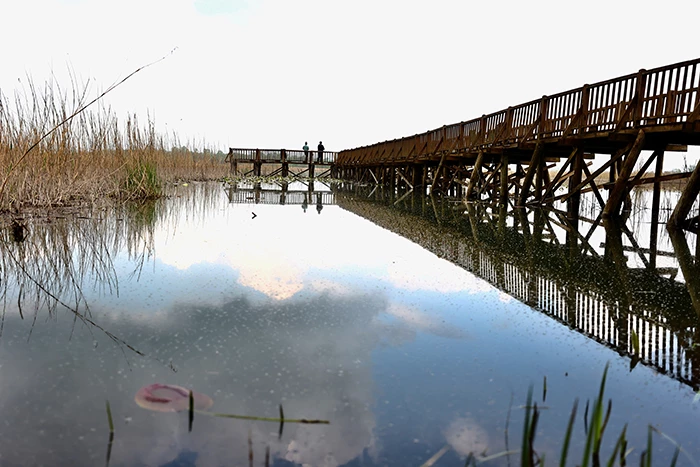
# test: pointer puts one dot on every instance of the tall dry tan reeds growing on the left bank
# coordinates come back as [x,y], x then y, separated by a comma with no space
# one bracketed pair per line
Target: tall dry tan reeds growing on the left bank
[48,158]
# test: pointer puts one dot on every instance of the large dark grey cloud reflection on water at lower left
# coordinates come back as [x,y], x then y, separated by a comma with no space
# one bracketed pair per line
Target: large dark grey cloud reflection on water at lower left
[313,356]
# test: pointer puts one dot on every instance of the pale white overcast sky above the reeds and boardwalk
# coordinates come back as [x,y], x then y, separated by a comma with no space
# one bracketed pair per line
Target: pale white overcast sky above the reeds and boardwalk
[278,73]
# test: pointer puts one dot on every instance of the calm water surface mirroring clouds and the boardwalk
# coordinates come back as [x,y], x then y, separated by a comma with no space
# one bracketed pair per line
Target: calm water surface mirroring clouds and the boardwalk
[410,328]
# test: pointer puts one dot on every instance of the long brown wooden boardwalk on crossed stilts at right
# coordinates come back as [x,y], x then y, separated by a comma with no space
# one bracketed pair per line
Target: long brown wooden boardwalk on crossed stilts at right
[508,154]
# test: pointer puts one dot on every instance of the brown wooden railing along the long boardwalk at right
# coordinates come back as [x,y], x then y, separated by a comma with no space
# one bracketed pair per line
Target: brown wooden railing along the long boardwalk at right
[665,98]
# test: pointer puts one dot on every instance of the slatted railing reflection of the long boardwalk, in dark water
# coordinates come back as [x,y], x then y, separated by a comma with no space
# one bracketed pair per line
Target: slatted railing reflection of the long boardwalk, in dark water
[607,310]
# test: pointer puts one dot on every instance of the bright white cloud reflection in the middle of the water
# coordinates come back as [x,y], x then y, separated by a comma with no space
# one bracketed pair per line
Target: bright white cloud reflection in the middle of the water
[280,269]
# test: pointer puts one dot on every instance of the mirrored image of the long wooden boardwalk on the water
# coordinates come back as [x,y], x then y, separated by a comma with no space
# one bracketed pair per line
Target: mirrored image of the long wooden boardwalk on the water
[598,296]
